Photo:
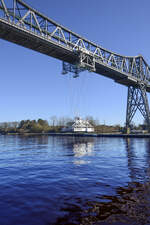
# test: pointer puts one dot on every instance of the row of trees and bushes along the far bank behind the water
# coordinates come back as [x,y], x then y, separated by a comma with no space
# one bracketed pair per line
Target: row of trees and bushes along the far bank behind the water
[55,124]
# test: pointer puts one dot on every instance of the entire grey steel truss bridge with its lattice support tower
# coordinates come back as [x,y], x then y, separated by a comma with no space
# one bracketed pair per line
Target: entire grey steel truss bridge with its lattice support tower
[23,25]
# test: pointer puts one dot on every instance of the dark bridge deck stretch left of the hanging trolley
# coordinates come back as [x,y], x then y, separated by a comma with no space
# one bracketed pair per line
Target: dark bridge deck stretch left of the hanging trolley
[31,41]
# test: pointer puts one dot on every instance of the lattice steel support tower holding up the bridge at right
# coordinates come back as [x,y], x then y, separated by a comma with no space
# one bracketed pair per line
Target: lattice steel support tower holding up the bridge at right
[137,100]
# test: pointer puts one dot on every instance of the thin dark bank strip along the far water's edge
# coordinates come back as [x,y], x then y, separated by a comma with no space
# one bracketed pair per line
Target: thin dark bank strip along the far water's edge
[85,135]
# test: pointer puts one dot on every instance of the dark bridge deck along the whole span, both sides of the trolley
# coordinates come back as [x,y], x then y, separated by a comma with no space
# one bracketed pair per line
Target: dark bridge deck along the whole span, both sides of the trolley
[56,50]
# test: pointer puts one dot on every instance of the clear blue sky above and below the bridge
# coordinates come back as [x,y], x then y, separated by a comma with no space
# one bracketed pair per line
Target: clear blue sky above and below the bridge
[32,85]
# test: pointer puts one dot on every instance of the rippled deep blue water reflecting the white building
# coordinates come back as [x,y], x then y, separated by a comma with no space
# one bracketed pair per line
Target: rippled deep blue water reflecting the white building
[48,180]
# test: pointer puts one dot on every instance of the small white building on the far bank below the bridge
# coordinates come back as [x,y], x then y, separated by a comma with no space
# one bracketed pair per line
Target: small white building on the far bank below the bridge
[79,125]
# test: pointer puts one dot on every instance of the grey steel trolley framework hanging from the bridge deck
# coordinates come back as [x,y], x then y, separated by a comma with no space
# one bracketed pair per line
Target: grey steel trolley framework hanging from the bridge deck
[85,61]
